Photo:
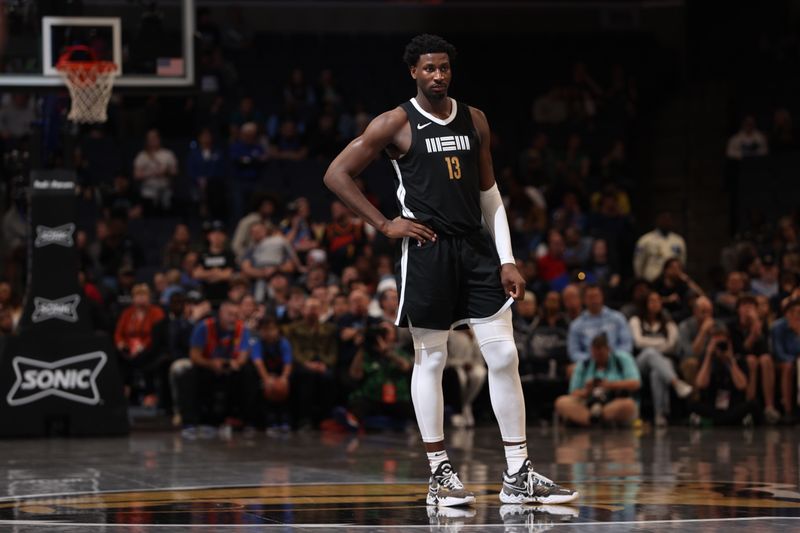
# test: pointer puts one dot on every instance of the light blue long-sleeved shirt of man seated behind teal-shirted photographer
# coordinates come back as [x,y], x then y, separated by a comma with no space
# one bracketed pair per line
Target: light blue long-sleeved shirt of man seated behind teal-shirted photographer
[587,326]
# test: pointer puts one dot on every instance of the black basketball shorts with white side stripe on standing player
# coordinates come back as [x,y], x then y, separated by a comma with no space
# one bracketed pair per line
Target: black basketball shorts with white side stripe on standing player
[450,282]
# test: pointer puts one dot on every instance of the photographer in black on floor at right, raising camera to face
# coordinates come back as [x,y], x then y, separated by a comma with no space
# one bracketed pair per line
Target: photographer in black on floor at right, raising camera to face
[722,385]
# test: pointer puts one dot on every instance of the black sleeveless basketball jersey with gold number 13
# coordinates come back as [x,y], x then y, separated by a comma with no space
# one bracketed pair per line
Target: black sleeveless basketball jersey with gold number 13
[437,180]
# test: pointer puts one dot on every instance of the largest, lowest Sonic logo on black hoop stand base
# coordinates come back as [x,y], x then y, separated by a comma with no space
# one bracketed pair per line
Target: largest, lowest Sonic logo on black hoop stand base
[73,378]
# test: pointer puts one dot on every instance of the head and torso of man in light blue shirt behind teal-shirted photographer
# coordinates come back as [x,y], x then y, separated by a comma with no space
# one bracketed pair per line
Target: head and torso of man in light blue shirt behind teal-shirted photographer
[597,319]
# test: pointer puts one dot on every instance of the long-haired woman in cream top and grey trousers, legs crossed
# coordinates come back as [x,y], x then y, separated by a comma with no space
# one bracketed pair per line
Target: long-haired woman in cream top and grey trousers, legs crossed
[655,337]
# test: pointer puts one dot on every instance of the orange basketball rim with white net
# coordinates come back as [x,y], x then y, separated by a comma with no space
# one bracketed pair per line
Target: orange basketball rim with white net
[89,82]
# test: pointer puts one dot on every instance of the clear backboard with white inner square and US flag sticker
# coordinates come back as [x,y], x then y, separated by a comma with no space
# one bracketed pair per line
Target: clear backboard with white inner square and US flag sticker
[151,41]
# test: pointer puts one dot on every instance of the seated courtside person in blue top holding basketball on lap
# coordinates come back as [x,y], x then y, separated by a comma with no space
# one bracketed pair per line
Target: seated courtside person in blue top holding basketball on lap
[275,370]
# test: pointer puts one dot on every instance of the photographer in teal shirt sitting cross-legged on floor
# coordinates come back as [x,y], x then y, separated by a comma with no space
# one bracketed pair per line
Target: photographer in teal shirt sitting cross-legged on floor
[602,388]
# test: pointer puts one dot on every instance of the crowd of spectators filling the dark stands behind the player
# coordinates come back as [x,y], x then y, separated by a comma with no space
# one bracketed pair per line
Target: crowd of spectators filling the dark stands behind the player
[260,311]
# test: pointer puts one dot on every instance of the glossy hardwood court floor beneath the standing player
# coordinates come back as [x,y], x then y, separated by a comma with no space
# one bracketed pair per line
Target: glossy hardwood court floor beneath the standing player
[678,479]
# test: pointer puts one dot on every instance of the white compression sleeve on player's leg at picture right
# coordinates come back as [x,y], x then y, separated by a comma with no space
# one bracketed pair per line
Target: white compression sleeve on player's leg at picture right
[496,339]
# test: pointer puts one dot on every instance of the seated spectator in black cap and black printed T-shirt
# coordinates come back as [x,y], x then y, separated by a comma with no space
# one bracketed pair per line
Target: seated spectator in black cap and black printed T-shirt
[216,266]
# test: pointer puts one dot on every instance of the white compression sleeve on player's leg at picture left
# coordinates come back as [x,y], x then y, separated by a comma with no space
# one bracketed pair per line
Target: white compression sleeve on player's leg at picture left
[430,355]
